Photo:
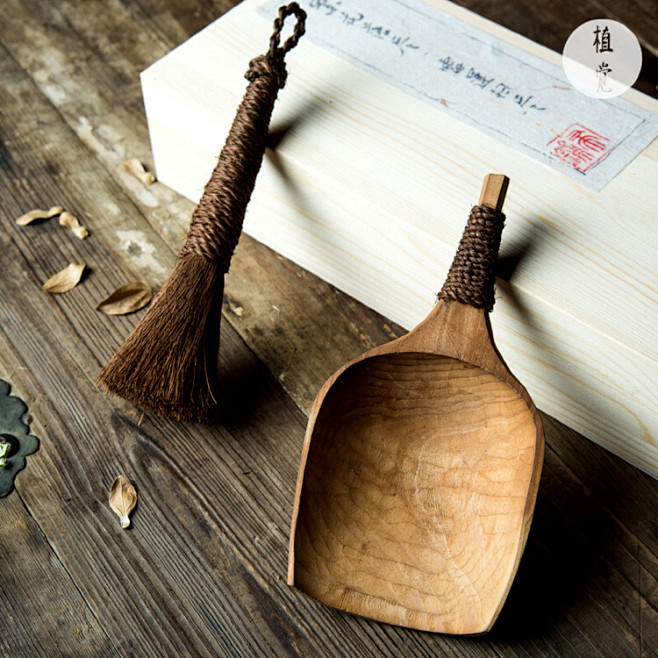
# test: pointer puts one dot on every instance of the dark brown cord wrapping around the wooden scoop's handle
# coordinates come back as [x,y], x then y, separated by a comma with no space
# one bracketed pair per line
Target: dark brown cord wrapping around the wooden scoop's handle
[471,277]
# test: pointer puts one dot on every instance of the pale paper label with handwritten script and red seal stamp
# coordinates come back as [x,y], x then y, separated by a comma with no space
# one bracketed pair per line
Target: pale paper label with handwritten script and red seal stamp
[481,80]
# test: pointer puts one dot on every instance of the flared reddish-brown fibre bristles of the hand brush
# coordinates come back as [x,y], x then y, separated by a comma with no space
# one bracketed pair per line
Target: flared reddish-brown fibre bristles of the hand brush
[168,364]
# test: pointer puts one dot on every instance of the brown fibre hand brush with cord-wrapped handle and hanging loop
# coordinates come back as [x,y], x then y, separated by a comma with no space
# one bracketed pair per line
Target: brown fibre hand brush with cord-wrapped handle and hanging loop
[168,364]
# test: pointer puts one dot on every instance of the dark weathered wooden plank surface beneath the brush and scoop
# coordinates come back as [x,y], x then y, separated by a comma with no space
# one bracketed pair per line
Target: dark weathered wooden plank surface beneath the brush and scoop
[202,570]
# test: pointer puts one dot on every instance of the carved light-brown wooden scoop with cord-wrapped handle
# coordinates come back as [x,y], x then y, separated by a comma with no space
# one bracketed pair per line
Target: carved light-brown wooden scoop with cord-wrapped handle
[421,464]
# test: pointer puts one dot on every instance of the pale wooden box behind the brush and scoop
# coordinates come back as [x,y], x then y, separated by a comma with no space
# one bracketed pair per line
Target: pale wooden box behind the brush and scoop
[370,190]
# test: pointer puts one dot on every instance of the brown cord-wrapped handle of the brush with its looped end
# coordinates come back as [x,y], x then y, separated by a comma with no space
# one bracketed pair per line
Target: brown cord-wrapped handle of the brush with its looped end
[217,220]
